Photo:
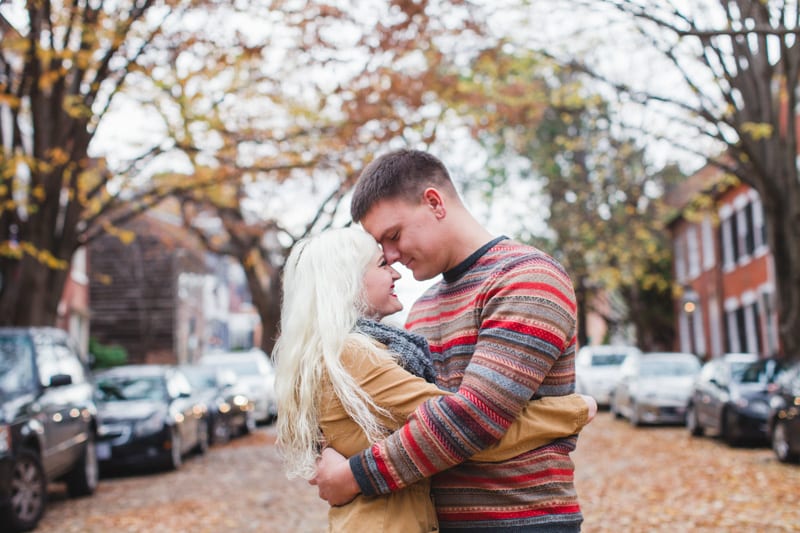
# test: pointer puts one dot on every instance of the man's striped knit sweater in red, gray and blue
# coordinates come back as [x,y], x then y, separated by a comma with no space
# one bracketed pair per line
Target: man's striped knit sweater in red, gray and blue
[501,328]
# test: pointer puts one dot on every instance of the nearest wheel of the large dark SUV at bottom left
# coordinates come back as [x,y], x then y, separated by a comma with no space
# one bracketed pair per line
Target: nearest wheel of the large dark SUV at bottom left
[28,493]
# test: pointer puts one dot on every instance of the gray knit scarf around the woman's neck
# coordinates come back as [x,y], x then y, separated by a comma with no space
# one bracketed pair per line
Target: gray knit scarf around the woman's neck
[412,350]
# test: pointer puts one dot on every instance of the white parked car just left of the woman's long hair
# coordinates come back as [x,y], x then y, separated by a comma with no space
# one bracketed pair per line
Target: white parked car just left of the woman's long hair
[255,372]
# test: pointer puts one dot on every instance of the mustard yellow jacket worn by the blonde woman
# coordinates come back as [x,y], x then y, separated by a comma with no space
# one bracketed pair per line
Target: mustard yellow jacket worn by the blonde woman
[400,392]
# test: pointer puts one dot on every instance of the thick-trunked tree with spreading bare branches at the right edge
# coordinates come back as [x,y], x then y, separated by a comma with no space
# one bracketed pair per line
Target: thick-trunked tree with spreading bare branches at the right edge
[740,62]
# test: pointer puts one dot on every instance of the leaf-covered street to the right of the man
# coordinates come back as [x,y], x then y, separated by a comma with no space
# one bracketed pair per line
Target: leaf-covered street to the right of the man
[662,479]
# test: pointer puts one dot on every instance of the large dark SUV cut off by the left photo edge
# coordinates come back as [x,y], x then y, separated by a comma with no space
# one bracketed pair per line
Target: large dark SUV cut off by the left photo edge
[48,422]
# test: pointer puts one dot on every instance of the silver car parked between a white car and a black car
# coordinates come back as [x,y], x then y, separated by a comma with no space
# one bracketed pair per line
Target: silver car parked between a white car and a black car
[654,387]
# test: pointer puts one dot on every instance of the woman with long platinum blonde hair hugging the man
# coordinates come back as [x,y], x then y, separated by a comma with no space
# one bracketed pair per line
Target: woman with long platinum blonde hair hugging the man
[345,380]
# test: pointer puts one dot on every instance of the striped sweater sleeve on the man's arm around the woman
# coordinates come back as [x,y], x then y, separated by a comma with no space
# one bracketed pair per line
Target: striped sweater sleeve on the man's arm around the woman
[525,343]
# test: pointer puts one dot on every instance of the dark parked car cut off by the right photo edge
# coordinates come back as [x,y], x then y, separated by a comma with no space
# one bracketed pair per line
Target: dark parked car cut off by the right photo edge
[784,415]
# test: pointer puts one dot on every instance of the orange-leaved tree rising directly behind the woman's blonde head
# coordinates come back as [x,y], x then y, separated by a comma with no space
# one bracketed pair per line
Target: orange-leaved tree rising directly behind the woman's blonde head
[286,140]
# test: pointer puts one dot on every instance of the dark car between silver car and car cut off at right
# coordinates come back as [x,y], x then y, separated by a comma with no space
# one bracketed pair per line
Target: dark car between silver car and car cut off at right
[731,397]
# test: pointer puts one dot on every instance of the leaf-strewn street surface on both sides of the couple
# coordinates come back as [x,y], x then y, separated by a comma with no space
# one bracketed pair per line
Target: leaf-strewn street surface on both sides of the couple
[649,479]
